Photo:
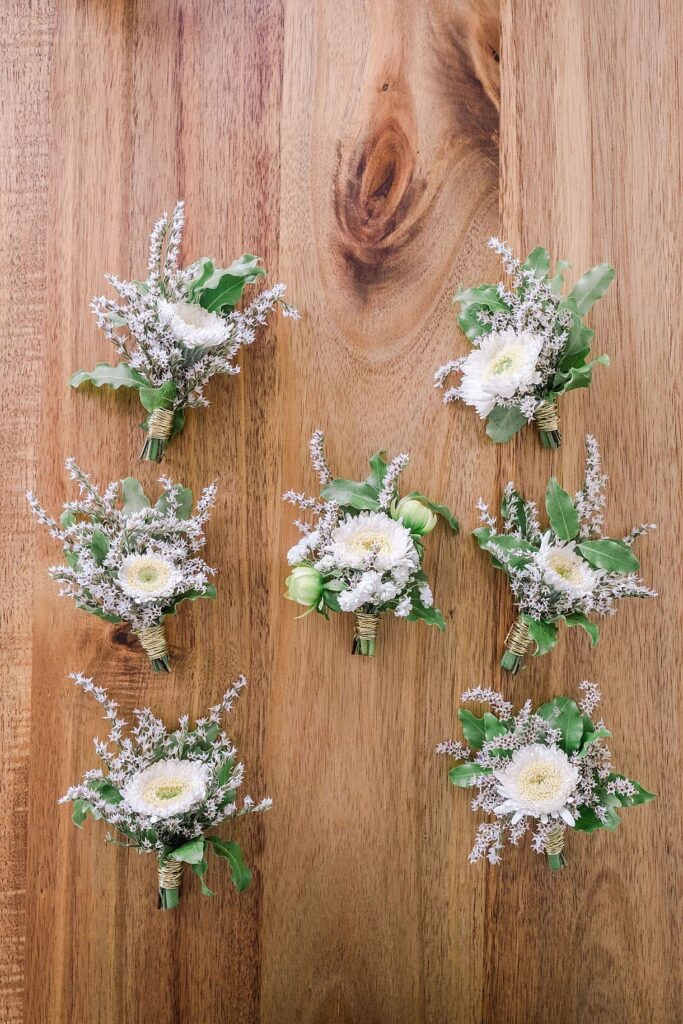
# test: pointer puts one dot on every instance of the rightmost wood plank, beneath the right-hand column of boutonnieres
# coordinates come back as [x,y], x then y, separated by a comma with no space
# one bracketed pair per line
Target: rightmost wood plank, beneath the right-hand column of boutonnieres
[591,167]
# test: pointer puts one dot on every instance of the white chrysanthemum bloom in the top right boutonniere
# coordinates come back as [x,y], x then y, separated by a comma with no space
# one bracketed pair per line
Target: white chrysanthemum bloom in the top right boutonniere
[502,367]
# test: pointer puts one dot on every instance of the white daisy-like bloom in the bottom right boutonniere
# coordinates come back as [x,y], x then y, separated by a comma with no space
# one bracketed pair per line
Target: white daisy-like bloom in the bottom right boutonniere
[540,783]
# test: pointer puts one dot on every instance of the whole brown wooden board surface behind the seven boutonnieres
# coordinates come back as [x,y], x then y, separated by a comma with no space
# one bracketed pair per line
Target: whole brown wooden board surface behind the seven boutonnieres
[367,151]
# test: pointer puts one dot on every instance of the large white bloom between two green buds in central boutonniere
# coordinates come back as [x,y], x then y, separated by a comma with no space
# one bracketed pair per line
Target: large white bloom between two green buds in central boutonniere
[372,534]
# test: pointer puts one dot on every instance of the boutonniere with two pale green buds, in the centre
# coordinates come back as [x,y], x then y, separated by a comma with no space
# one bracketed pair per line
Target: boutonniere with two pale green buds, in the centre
[364,552]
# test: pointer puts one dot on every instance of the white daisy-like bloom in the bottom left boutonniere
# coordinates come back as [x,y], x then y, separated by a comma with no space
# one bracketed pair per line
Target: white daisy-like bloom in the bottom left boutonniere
[166,789]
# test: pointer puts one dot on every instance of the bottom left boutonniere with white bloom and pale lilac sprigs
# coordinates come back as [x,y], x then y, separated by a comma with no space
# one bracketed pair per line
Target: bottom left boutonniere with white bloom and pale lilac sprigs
[164,791]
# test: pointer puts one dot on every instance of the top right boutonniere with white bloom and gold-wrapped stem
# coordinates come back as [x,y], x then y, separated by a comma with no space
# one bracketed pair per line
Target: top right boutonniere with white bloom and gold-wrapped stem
[531,346]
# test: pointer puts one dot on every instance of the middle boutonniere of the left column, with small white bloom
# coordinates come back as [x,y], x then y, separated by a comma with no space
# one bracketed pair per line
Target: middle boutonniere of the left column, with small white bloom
[130,562]
